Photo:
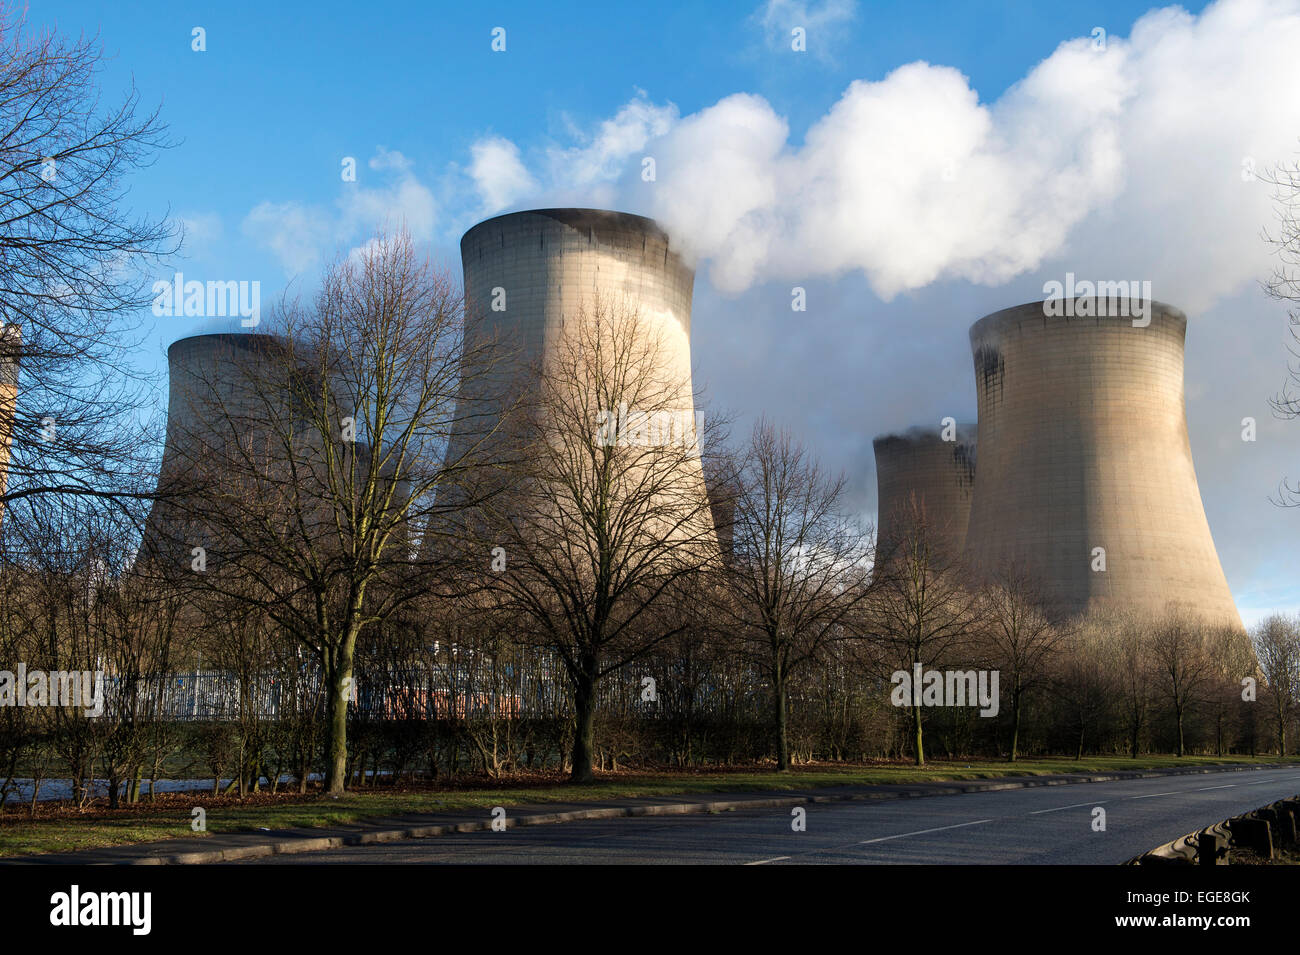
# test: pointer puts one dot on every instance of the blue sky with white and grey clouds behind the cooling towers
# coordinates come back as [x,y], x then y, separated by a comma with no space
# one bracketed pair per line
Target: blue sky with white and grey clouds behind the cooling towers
[1129,162]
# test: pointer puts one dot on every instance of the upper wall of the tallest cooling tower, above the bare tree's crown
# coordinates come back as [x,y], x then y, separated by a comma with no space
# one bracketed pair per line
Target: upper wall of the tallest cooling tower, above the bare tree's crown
[544,268]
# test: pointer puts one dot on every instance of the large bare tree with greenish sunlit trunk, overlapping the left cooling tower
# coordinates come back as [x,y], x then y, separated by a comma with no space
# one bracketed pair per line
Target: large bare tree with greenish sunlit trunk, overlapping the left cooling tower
[319,462]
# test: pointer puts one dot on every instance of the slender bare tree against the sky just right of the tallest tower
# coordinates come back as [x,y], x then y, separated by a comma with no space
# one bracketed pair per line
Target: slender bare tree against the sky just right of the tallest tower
[799,570]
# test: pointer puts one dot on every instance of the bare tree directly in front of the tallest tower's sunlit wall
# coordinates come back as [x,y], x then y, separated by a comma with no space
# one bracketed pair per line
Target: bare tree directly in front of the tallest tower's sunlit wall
[605,518]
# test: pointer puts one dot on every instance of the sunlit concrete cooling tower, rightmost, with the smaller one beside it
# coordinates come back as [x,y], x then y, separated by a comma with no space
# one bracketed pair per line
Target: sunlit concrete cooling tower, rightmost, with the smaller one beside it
[1085,458]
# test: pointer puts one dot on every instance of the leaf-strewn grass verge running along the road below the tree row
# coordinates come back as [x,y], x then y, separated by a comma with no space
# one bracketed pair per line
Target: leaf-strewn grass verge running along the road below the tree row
[63,830]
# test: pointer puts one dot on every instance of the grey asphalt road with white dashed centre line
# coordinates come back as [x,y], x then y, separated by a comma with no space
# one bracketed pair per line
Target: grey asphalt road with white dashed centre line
[1043,826]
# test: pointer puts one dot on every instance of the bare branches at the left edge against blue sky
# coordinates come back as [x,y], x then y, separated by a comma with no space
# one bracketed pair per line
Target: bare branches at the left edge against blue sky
[75,263]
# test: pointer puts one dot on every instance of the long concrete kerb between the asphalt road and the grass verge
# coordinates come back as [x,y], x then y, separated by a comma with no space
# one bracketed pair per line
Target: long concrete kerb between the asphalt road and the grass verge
[527,818]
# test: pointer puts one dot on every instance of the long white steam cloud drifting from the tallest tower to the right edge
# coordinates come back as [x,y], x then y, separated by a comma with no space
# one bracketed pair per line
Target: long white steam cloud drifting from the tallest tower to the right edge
[1125,162]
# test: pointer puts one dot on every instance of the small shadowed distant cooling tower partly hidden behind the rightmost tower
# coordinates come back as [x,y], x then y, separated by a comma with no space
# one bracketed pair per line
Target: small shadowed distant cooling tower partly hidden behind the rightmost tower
[921,474]
